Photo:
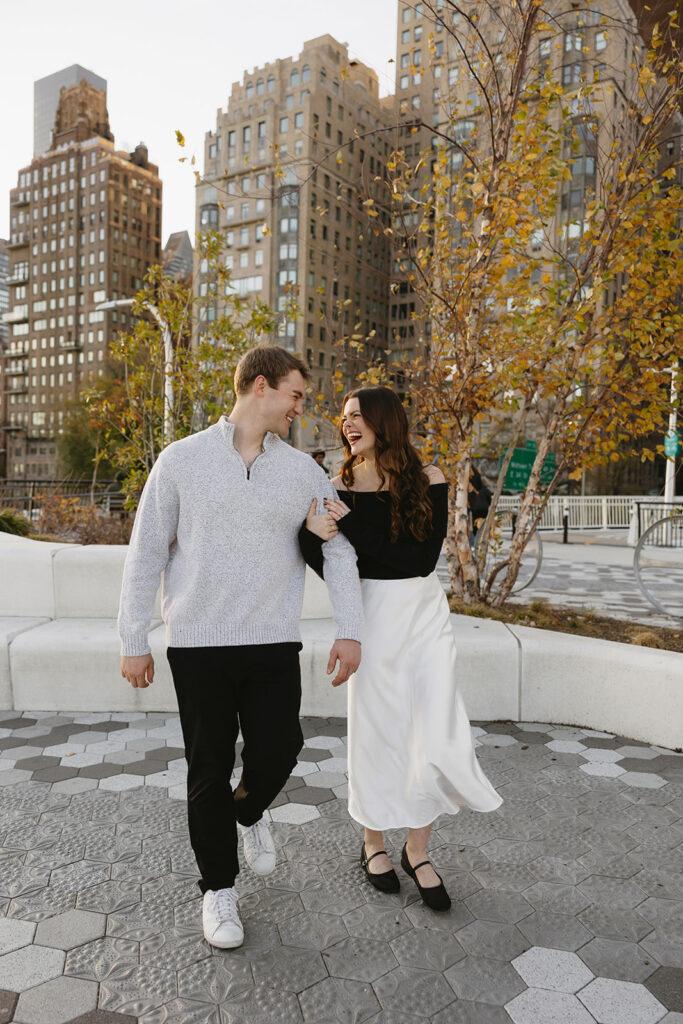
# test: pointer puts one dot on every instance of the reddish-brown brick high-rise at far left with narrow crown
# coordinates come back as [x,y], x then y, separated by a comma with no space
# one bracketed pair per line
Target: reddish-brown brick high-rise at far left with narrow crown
[86,227]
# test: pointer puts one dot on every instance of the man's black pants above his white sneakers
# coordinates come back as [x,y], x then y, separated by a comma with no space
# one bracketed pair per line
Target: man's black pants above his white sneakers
[257,689]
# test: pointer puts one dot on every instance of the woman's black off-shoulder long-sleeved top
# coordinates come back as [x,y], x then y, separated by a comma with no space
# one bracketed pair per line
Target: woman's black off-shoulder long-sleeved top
[368,527]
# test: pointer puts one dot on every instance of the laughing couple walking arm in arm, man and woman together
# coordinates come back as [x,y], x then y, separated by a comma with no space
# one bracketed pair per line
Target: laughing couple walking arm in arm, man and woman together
[227,516]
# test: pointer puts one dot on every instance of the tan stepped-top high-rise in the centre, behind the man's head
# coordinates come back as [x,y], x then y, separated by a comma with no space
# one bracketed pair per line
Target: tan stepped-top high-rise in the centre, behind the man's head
[289,173]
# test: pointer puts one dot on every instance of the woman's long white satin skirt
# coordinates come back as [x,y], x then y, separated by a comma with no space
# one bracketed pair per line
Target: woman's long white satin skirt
[410,747]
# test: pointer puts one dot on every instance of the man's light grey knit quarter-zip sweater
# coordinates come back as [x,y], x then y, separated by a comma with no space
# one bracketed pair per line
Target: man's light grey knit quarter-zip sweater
[226,540]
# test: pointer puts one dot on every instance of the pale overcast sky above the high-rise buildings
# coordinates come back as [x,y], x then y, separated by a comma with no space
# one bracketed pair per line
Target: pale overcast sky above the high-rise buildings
[168,65]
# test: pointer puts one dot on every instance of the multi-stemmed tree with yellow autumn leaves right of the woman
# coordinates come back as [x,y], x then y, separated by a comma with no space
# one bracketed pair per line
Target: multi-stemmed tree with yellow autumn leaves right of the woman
[547,260]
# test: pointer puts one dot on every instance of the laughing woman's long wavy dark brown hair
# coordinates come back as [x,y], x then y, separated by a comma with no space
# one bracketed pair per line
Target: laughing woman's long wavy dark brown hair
[396,460]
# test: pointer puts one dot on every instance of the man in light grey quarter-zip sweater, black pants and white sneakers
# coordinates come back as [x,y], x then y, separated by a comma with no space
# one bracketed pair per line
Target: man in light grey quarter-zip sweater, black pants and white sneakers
[220,519]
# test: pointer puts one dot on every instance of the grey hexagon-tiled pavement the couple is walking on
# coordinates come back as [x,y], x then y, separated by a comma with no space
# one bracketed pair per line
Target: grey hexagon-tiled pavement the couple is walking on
[568,902]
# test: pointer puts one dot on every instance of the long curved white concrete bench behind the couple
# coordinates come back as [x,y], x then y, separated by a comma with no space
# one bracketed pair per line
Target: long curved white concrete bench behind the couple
[60,651]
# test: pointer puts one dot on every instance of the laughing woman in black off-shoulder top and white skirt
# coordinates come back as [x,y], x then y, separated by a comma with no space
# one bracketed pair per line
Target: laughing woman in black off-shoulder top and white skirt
[410,746]
